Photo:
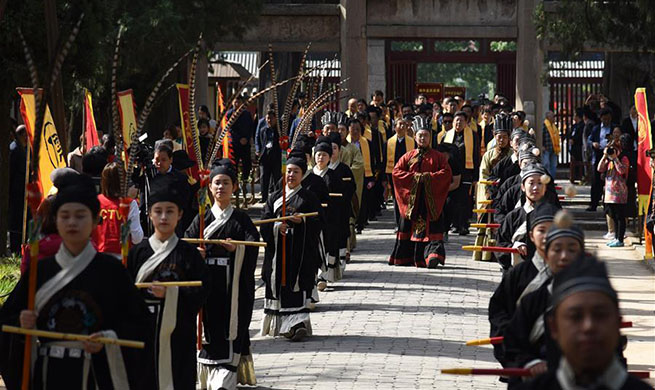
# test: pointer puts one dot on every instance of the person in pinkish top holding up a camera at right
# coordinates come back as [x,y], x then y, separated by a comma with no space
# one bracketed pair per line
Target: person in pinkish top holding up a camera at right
[615,165]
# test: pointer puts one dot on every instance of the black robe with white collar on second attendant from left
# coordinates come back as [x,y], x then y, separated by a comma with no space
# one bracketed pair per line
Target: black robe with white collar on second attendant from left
[184,263]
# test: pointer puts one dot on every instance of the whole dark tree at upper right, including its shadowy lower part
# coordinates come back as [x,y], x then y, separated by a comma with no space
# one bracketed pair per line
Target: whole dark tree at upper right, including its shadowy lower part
[625,27]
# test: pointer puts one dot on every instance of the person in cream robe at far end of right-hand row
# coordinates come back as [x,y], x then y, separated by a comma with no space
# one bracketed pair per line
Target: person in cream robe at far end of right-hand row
[502,128]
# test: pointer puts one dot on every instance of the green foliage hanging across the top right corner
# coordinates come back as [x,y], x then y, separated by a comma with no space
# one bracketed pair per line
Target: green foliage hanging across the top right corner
[620,24]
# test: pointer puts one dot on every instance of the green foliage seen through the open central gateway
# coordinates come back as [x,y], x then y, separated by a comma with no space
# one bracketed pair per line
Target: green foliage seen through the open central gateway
[477,78]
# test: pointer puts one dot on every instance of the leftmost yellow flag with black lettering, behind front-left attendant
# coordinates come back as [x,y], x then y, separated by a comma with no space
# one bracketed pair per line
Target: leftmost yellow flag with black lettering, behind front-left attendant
[51,154]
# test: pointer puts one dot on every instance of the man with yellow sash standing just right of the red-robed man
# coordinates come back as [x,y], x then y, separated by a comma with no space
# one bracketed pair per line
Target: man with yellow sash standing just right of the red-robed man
[468,144]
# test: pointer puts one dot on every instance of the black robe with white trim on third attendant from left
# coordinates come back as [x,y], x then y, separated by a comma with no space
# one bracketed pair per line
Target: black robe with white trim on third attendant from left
[219,348]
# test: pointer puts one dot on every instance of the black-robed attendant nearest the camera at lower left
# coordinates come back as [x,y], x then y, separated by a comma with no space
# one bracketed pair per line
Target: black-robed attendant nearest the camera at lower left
[78,291]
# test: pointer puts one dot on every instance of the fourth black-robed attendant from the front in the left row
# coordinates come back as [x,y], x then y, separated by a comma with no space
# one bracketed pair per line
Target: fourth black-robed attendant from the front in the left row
[289,275]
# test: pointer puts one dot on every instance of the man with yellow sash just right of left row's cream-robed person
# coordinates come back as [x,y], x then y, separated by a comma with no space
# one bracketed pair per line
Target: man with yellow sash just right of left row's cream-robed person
[355,137]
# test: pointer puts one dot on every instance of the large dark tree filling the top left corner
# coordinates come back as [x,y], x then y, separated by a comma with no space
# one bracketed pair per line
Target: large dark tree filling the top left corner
[157,32]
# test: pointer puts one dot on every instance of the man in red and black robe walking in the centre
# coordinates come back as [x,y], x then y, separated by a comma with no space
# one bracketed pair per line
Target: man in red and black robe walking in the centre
[421,179]
